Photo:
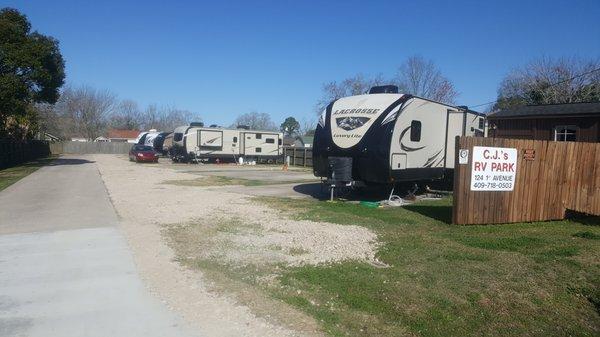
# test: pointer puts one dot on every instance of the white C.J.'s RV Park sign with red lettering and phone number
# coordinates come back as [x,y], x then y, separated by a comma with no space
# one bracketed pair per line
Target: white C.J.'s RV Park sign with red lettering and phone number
[493,169]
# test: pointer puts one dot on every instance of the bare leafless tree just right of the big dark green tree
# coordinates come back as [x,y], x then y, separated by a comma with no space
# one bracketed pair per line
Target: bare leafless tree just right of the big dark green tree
[87,108]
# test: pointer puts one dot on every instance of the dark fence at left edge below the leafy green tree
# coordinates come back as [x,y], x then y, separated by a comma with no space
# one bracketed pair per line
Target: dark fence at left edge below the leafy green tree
[17,152]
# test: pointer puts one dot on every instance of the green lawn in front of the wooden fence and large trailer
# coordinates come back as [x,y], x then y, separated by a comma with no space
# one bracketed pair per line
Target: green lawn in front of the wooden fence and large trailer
[535,279]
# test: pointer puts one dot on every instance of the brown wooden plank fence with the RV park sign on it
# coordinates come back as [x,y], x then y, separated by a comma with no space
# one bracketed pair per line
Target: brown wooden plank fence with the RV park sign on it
[548,179]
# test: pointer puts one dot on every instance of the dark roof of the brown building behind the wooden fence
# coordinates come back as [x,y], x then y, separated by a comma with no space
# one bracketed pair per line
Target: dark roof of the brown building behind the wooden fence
[549,110]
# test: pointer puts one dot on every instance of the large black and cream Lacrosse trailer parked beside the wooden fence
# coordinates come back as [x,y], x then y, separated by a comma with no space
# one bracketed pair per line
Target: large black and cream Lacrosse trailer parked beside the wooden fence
[385,137]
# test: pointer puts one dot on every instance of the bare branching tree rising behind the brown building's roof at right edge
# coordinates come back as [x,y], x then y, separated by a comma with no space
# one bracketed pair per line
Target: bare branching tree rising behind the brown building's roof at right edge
[550,81]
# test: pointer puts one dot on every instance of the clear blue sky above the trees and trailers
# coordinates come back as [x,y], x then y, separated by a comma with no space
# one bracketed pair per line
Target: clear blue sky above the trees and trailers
[223,58]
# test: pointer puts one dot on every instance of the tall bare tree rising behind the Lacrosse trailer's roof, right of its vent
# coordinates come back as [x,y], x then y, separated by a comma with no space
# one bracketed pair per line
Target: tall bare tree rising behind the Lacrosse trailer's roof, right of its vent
[421,77]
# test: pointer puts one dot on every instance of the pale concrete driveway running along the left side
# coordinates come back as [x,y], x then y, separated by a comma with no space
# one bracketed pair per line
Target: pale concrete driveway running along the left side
[65,269]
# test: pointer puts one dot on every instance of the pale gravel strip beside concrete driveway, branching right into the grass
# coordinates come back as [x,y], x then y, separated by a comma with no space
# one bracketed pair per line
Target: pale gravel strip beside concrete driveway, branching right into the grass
[230,228]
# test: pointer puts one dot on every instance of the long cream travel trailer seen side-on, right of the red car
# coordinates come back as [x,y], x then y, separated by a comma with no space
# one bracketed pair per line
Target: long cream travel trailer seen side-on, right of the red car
[196,142]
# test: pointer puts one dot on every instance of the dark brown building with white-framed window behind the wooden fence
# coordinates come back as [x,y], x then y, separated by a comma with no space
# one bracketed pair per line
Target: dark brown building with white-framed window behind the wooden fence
[560,122]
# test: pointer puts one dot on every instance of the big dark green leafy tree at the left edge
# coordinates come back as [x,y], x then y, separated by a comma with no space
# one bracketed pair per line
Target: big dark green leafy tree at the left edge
[31,71]
